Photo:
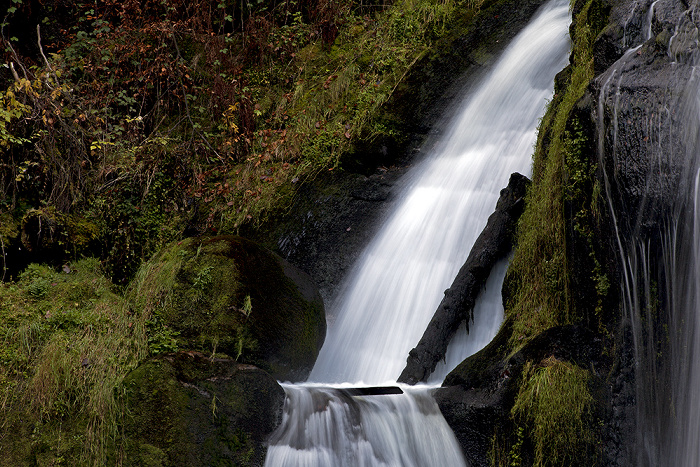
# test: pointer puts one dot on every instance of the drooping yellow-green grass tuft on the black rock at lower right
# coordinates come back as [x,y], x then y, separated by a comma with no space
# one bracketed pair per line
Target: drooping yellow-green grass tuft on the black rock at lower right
[555,404]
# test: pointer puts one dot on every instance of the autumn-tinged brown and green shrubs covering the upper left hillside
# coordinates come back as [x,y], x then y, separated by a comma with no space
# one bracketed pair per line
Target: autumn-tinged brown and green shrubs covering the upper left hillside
[149,119]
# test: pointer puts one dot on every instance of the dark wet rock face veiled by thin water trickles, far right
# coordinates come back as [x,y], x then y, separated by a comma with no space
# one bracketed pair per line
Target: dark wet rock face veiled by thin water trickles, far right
[645,108]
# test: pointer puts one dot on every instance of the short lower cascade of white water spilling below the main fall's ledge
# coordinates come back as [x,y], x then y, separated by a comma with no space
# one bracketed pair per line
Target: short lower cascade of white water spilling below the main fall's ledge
[323,425]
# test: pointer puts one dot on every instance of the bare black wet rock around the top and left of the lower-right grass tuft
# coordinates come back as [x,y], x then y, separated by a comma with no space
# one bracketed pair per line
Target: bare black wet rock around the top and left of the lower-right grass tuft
[477,396]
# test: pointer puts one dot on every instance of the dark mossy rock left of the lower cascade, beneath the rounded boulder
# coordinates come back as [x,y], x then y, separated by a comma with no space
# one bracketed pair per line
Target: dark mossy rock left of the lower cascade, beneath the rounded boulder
[185,408]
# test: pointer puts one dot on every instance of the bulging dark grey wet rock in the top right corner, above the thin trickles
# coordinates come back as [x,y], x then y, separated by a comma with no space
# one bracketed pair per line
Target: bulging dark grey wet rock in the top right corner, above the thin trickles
[641,107]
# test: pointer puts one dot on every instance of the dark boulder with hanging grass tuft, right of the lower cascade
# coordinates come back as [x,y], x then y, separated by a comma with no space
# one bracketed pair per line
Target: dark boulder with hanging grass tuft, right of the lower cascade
[541,405]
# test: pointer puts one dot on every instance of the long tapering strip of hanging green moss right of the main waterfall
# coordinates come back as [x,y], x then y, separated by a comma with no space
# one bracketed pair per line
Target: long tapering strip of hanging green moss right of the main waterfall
[539,266]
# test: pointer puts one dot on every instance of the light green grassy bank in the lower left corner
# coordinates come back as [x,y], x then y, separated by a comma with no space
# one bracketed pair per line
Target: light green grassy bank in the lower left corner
[67,343]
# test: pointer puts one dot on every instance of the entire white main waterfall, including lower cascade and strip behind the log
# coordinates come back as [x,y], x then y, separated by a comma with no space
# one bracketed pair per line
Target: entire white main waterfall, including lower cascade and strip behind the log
[398,283]
